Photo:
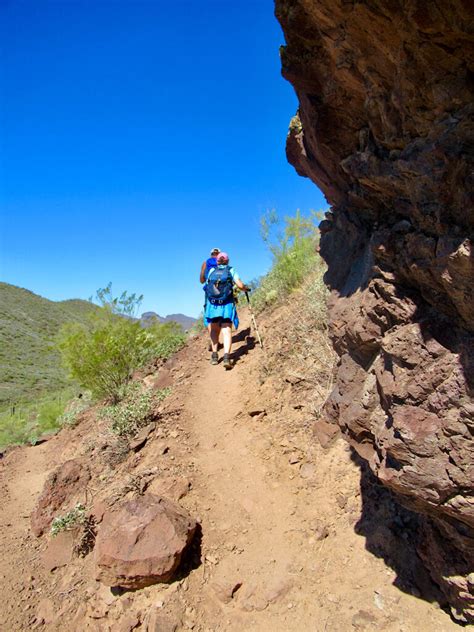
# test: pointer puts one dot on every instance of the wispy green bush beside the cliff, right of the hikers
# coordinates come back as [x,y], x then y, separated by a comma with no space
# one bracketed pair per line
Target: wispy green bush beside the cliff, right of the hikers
[294,254]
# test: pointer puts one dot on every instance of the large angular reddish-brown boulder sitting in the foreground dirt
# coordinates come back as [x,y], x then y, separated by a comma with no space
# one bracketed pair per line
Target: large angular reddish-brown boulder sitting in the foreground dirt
[142,542]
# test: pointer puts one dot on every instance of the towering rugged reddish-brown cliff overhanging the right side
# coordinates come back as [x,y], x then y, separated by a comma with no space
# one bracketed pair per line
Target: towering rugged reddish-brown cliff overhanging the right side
[385,129]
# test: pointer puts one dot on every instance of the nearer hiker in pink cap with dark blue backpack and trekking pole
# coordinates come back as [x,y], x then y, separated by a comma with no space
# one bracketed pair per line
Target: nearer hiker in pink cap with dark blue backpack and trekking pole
[220,312]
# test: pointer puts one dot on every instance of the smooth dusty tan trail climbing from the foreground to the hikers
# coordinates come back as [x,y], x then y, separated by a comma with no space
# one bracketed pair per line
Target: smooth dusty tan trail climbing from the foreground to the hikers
[267,498]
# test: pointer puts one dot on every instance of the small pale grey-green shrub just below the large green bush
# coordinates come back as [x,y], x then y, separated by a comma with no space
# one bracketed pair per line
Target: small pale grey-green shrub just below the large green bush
[135,410]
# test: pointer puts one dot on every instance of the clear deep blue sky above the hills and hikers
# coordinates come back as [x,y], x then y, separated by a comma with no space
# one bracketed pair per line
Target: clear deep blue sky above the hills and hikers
[135,136]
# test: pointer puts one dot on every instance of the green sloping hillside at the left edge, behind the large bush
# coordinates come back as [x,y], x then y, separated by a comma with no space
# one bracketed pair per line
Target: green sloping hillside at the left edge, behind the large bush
[29,323]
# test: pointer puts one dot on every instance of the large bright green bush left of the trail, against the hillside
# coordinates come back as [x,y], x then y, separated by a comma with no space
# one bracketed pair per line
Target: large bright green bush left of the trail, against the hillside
[102,355]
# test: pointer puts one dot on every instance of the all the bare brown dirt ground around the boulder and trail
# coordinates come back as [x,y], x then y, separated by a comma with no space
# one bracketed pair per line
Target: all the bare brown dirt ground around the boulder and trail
[293,536]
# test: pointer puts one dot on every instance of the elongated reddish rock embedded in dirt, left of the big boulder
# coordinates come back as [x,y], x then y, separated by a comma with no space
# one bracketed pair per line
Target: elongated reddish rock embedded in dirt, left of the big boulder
[61,487]
